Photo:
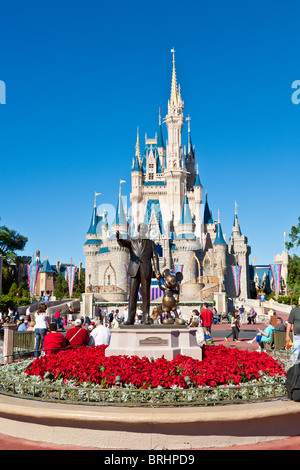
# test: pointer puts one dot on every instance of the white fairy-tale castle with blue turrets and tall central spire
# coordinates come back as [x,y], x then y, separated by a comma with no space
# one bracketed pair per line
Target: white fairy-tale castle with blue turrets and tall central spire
[167,195]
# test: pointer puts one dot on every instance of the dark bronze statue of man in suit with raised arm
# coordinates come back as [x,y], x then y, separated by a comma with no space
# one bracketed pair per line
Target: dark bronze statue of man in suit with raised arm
[142,252]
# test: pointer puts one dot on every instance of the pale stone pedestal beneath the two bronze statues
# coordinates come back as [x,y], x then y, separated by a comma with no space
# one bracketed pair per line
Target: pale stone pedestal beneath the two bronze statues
[154,341]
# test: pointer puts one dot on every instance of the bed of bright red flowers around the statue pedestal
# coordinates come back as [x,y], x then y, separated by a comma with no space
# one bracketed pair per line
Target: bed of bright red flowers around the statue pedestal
[220,366]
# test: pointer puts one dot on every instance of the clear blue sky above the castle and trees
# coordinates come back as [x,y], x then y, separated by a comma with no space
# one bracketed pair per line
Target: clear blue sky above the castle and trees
[80,77]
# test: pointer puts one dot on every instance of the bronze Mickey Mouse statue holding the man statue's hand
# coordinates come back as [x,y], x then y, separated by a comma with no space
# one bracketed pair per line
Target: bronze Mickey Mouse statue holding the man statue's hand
[171,295]
